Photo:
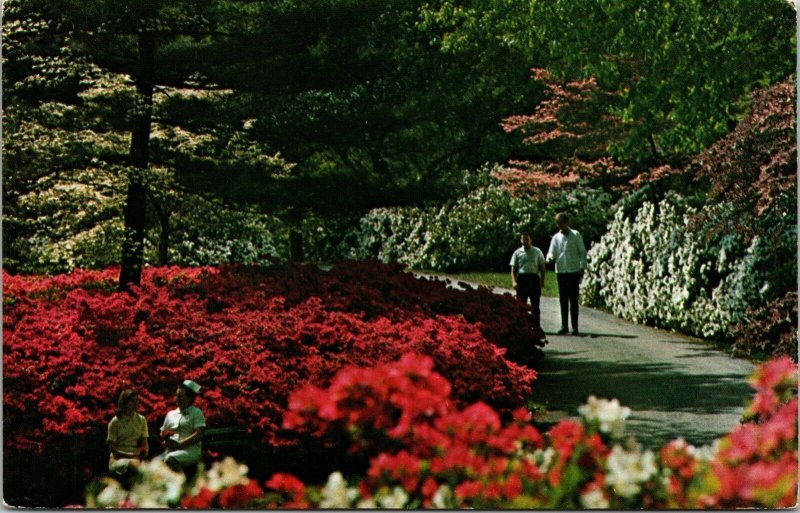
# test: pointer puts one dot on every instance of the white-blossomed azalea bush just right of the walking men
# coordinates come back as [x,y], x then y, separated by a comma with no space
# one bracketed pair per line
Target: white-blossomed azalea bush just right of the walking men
[657,268]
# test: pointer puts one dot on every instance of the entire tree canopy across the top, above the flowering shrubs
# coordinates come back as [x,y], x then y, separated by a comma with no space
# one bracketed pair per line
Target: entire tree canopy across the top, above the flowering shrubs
[123,117]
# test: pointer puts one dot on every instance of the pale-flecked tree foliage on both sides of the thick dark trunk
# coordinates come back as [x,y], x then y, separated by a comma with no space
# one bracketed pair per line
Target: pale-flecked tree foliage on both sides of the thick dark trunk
[67,147]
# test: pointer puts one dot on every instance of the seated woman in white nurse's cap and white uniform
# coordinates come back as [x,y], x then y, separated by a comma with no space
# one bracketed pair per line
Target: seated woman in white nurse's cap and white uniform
[183,429]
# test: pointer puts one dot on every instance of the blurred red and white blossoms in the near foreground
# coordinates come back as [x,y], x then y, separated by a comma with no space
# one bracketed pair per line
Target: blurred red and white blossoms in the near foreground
[426,452]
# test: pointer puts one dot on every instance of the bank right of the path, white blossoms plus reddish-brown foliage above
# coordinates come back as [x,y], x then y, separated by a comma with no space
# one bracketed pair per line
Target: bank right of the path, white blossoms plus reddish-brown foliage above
[718,260]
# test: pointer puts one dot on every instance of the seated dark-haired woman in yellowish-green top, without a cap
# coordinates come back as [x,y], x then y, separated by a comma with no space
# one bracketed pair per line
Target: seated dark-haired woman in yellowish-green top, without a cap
[127,435]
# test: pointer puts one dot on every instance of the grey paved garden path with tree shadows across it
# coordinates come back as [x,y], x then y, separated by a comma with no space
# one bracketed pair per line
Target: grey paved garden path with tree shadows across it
[675,386]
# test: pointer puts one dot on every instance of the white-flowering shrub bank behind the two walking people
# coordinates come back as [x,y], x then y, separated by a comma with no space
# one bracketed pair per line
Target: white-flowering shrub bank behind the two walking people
[476,231]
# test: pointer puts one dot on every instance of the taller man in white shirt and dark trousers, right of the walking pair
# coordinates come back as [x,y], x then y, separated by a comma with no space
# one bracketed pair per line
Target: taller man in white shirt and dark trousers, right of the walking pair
[569,254]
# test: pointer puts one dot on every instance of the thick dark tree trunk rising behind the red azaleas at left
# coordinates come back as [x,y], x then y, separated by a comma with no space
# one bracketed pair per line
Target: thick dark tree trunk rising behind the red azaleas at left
[136,201]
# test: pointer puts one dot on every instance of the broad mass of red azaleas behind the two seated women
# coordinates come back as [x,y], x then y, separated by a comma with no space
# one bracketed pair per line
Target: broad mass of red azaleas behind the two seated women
[250,335]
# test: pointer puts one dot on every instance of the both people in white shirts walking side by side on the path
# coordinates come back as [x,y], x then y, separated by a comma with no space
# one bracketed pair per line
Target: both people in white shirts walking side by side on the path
[528,271]
